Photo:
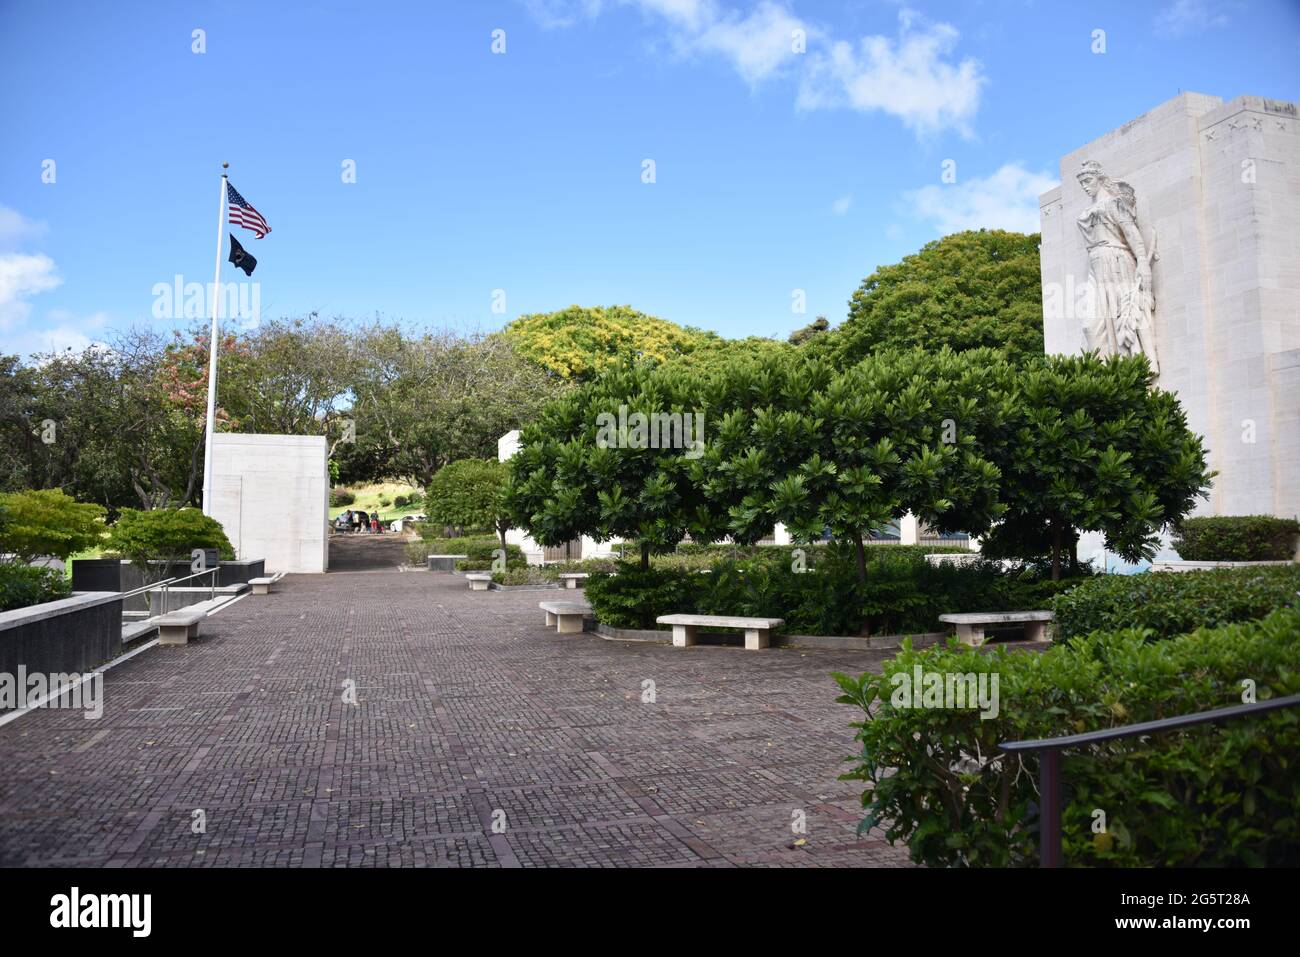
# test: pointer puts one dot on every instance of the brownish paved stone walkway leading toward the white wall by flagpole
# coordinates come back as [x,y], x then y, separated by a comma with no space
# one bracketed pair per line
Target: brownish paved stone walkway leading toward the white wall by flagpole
[480,738]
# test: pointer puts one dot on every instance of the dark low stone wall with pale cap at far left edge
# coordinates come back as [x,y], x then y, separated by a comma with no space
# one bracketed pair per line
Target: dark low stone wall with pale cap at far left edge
[72,635]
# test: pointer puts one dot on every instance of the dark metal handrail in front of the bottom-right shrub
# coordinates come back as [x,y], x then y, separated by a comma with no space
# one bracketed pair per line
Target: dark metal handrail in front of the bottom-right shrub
[1051,748]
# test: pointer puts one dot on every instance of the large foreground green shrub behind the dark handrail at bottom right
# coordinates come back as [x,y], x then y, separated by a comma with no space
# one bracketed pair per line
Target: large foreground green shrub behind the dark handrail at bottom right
[1215,795]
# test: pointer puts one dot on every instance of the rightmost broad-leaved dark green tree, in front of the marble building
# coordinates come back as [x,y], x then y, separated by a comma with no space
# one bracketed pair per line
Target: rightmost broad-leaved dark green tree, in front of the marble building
[1095,449]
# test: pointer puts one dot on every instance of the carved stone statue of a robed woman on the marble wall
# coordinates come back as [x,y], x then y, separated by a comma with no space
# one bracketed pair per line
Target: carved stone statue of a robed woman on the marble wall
[1124,308]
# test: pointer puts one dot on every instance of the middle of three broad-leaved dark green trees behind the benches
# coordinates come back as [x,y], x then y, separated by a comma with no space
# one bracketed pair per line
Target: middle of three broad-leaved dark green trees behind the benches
[851,452]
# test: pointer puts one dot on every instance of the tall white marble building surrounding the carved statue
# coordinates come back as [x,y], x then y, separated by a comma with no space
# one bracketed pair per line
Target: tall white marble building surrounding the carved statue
[1217,190]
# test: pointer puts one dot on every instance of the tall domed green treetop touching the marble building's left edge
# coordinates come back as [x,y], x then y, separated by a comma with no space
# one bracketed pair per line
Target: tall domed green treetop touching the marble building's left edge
[968,291]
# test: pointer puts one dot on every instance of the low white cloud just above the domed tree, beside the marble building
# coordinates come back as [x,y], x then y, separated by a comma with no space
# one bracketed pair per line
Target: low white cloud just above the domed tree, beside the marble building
[1007,200]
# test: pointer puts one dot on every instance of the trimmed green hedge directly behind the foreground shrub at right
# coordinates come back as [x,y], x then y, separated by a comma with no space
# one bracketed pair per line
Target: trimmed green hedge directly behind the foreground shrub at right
[1171,604]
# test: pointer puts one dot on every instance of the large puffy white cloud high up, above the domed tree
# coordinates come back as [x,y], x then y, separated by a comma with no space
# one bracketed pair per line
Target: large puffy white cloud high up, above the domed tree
[913,77]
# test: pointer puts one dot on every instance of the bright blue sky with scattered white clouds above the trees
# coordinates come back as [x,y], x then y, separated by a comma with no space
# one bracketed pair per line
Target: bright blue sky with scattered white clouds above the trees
[775,171]
